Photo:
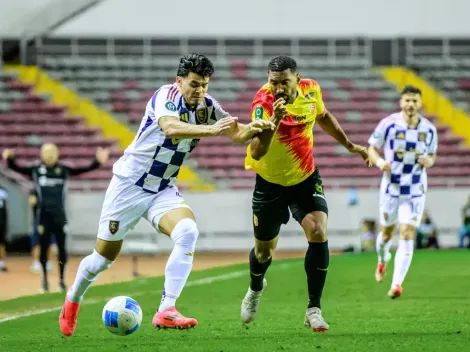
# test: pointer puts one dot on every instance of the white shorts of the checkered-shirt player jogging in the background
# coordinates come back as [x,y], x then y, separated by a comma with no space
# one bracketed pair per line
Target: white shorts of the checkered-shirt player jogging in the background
[404,211]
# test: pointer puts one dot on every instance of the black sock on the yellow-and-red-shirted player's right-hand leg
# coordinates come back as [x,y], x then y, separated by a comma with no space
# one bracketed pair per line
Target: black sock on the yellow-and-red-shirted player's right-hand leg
[317,260]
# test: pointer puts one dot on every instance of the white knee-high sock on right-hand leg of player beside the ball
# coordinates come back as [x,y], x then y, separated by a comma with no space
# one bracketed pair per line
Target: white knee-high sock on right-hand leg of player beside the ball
[180,262]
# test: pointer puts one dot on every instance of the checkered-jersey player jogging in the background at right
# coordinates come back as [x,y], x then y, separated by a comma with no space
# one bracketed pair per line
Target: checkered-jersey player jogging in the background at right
[409,143]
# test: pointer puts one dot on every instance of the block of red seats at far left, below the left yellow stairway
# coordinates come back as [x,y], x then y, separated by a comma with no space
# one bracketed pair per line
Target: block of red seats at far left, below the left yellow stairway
[30,120]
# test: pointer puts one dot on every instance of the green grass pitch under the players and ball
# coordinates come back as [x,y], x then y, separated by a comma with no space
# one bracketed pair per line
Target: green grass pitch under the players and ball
[432,315]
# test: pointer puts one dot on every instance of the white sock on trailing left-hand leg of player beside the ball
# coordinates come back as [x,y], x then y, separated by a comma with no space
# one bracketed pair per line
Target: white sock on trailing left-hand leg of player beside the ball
[89,269]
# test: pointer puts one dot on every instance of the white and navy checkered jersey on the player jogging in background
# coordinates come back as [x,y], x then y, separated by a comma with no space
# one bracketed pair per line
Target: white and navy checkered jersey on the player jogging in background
[402,147]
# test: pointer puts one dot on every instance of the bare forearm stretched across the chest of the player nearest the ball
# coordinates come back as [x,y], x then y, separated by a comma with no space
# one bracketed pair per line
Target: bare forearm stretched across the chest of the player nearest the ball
[173,128]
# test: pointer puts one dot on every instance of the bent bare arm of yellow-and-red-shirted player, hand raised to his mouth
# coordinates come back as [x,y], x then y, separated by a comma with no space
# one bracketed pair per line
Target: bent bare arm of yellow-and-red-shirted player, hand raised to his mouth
[262,141]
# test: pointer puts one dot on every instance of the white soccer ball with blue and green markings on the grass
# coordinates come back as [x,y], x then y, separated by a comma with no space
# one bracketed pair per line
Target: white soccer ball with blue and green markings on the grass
[122,315]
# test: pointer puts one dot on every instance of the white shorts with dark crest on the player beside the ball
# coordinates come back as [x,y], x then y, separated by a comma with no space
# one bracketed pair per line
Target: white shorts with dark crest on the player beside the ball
[125,203]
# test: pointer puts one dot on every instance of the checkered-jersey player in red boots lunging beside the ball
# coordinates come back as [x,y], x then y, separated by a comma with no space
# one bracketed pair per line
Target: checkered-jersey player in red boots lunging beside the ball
[144,186]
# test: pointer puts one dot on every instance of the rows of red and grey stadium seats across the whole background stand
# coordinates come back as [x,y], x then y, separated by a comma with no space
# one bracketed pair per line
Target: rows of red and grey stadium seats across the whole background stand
[122,84]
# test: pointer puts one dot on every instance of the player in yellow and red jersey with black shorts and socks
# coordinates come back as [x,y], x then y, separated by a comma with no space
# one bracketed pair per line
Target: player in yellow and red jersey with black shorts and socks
[286,178]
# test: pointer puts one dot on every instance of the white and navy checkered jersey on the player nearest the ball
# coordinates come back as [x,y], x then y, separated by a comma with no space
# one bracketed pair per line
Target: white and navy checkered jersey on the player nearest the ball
[153,161]
